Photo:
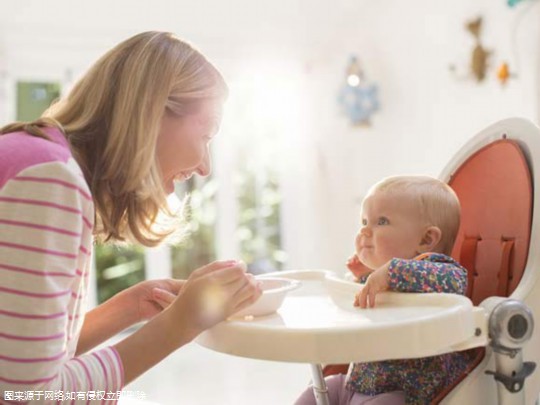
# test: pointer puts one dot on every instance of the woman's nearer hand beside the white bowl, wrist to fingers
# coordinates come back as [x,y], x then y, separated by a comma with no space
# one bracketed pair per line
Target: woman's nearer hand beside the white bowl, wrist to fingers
[213,293]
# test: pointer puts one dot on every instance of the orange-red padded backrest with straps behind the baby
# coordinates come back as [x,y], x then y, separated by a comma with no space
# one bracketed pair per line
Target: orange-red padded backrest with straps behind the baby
[495,190]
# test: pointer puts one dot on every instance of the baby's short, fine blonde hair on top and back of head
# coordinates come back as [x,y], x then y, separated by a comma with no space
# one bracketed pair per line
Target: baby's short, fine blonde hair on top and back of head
[437,203]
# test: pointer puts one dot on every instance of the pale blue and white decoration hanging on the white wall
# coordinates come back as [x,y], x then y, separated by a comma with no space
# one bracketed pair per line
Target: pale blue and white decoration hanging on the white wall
[358,98]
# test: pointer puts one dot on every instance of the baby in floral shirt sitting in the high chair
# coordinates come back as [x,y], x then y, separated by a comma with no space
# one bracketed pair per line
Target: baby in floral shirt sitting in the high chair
[408,228]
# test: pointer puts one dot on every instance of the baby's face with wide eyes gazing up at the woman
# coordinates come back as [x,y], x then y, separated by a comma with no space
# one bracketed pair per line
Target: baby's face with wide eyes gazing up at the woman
[391,227]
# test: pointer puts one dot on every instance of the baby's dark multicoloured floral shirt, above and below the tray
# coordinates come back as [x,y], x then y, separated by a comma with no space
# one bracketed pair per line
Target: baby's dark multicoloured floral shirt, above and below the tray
[421,379]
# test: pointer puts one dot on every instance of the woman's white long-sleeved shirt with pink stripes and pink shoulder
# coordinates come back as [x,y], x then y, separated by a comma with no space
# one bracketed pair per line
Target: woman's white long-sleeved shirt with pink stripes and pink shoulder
[46,220]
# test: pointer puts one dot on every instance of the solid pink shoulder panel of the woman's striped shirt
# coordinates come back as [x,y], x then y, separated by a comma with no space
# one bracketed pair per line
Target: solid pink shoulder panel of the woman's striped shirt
[20,151]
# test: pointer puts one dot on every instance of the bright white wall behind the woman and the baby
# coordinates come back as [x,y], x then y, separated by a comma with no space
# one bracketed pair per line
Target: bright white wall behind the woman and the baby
[406,47]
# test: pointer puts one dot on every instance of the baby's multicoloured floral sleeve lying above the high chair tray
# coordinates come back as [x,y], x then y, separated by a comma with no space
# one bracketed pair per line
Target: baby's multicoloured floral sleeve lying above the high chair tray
[426,276]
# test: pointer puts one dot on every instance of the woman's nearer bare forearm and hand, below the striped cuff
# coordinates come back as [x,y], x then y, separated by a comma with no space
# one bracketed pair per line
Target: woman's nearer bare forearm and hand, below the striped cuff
[210,295]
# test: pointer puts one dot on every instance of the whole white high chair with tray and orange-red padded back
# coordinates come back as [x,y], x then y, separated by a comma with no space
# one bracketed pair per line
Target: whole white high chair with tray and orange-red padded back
[495,176]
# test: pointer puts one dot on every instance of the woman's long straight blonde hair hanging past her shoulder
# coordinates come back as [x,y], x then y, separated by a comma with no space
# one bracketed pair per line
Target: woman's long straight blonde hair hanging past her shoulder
[112,118]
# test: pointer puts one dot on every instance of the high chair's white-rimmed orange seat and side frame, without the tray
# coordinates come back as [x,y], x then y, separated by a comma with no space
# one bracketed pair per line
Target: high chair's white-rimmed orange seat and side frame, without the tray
[496,177]
